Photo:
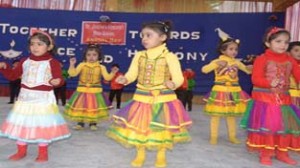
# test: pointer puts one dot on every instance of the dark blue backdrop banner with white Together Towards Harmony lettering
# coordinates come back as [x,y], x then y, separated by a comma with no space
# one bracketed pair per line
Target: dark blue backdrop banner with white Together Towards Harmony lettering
[194,37]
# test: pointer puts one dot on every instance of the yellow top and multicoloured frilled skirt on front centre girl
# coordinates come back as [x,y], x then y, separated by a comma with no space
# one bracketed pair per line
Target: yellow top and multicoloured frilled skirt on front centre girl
[154,118]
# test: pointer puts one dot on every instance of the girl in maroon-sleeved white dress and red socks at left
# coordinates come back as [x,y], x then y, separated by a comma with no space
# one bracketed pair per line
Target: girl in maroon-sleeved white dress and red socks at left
[35,117]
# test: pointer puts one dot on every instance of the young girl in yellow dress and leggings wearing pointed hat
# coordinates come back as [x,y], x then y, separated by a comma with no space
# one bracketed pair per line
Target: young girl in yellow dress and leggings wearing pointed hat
[226,98]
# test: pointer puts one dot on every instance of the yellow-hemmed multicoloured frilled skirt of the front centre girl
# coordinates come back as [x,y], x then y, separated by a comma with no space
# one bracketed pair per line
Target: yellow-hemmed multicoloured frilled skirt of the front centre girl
[153,119]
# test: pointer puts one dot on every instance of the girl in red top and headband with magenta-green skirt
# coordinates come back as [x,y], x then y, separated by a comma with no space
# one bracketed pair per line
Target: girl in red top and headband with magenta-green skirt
[271,120]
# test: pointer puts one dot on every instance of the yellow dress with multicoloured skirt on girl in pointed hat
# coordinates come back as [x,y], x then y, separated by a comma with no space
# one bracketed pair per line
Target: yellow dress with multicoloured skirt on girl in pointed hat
[226,98]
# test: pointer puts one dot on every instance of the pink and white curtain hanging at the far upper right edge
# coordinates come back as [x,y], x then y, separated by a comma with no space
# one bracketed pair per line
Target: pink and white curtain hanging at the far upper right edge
[292,21]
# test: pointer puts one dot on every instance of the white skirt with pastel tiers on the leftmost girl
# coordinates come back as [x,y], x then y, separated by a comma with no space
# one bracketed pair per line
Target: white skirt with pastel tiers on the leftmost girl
[35,118]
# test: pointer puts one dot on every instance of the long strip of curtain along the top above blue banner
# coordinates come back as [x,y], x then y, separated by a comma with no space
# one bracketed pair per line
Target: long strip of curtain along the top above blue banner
[145,6]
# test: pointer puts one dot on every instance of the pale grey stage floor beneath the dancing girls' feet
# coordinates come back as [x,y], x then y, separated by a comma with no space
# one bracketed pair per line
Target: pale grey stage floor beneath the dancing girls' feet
[92,149]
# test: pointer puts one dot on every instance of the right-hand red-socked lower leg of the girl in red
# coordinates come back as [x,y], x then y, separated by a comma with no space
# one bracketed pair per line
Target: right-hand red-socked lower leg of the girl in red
[282,151]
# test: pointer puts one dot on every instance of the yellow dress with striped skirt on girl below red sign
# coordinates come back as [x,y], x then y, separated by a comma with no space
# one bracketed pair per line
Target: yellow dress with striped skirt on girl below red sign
[88,104]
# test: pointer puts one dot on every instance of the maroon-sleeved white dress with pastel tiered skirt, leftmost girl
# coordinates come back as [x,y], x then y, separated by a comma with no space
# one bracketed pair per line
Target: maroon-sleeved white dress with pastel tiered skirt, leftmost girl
[35,117]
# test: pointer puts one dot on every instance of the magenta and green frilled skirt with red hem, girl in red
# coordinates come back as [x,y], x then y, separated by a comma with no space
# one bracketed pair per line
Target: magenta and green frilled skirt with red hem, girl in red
[272,125]
